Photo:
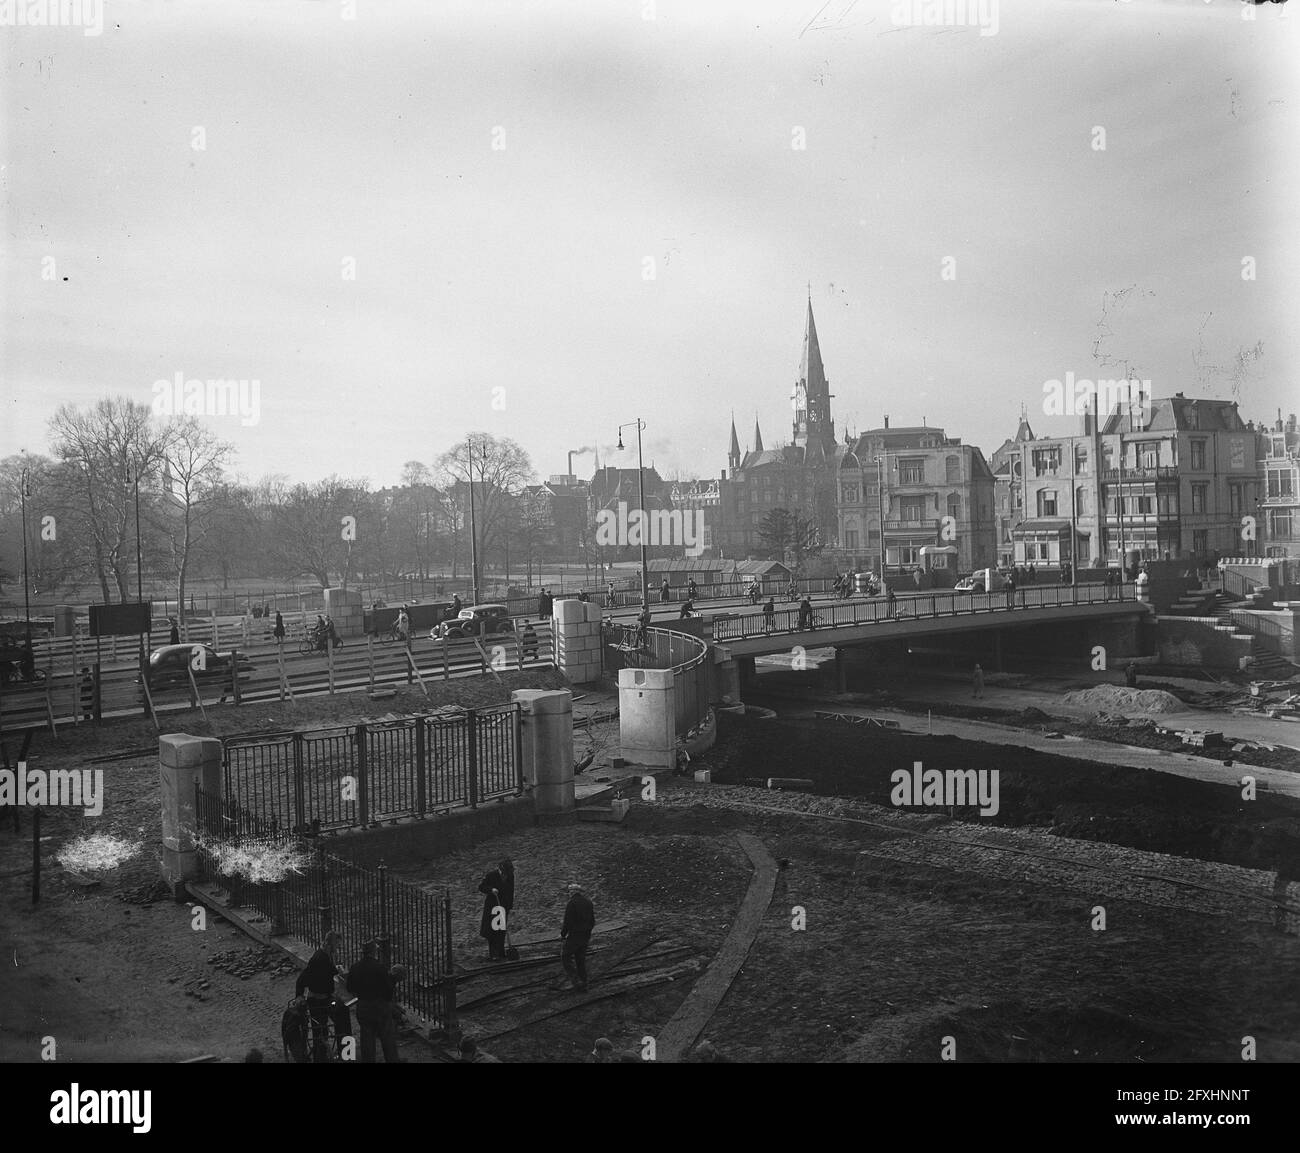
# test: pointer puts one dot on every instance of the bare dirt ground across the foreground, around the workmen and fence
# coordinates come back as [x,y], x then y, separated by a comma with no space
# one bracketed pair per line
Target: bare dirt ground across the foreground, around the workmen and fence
[916,929]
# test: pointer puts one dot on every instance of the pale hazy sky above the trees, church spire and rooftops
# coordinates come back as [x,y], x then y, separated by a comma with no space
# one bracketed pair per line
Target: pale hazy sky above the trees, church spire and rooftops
[409,222]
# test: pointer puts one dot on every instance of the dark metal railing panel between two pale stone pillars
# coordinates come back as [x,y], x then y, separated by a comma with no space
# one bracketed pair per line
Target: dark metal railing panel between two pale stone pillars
[357,777]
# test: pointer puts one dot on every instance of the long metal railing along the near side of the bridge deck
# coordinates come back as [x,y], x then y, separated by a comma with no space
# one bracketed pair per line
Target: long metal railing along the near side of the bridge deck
[920,608]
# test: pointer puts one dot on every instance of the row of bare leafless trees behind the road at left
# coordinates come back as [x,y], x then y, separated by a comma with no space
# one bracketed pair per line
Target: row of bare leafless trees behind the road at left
[198,519]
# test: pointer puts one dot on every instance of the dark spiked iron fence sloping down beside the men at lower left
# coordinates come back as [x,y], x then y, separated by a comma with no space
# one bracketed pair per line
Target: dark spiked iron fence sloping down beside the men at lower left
[307,892]
